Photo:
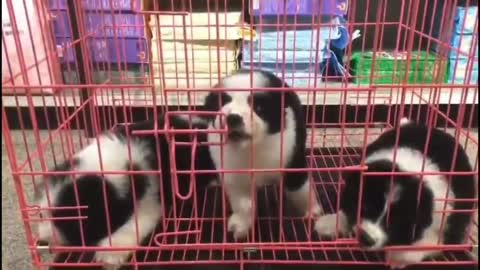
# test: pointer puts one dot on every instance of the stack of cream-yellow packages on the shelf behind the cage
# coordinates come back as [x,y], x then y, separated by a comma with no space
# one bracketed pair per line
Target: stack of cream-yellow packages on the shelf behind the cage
[193,49]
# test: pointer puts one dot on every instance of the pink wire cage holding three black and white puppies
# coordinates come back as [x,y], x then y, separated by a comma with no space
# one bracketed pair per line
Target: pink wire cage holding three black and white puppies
[72,69]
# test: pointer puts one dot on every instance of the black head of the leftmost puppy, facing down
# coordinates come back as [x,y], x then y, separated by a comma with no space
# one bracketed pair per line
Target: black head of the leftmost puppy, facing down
[91,194]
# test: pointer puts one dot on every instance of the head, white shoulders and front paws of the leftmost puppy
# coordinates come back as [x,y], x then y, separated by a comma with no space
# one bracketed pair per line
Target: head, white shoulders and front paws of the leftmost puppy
[110,217]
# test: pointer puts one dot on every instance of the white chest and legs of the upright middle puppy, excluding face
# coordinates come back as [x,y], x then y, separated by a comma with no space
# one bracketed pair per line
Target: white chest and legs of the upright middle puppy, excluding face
[272,152]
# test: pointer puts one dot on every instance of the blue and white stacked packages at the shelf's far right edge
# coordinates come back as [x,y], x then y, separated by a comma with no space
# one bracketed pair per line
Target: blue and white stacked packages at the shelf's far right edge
[464,45]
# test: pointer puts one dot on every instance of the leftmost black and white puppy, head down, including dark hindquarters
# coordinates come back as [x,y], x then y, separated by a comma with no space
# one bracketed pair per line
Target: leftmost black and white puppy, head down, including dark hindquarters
[130,203]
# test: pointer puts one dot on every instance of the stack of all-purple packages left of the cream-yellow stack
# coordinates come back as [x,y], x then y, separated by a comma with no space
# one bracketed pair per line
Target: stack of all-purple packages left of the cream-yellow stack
[115,39]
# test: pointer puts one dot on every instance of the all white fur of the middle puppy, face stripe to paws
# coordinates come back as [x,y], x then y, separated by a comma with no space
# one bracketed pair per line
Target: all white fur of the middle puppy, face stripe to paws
[266,154]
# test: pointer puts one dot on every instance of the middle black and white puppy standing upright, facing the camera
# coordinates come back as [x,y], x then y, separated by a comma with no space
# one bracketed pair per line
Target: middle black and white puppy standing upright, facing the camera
[256,120]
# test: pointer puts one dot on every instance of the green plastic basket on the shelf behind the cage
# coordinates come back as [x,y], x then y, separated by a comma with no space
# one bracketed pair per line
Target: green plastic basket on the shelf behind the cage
[390,68]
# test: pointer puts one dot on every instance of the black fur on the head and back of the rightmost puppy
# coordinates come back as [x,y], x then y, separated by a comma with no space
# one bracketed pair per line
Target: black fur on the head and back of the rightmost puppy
[407,214]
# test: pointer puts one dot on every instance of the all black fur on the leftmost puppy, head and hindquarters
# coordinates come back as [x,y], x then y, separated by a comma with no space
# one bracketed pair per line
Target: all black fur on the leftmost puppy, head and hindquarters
[91,188]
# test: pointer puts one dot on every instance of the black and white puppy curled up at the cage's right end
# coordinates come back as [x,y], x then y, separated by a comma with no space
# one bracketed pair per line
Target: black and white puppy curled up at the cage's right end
[411,222]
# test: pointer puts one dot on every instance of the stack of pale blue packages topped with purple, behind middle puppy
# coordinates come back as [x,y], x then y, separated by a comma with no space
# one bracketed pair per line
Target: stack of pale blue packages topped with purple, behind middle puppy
[286,43]
